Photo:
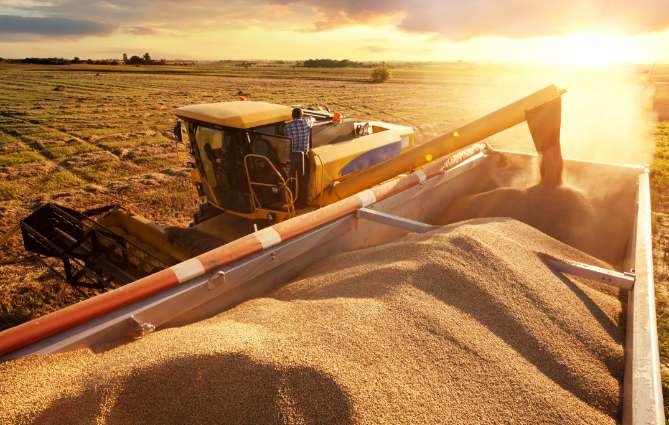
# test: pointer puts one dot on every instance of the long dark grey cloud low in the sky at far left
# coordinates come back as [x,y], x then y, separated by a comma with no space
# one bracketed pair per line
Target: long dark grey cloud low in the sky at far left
[51,26]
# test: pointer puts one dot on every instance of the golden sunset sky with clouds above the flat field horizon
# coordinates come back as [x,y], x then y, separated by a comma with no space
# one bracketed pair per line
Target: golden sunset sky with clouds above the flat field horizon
[596,32]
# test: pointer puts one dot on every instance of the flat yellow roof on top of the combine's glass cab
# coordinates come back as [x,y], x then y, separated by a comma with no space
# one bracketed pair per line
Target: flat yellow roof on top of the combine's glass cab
[239,114]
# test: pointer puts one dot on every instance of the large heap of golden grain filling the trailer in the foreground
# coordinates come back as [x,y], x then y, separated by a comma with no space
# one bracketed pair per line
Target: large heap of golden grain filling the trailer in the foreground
[461,325]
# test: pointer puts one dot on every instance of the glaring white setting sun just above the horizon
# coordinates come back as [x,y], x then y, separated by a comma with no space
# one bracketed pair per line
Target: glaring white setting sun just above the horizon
[594,49]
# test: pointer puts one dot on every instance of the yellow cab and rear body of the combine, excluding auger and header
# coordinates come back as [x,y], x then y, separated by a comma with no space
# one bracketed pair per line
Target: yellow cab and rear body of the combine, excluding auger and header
[244,165]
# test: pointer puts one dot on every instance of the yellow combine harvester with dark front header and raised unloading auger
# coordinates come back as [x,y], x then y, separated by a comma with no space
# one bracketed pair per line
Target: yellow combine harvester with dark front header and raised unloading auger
[248,177]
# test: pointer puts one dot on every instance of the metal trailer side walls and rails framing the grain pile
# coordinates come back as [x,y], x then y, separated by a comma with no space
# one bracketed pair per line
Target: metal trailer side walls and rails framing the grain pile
[275,255]
